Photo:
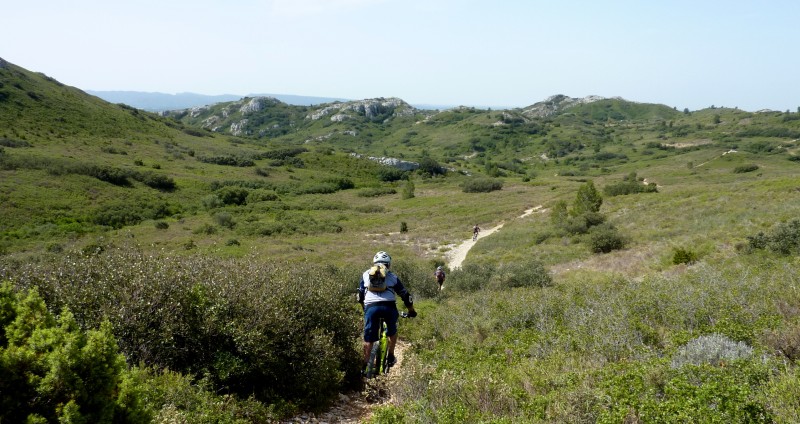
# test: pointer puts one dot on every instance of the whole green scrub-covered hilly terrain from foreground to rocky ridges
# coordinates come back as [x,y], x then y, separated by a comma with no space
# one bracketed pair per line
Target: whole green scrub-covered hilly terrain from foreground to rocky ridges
[642,268]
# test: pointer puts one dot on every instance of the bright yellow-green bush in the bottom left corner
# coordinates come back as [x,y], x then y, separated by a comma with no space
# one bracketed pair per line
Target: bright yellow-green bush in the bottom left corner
[51,370]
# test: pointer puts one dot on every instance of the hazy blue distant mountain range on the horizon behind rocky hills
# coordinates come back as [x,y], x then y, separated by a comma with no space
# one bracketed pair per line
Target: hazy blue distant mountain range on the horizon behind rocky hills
[158,102]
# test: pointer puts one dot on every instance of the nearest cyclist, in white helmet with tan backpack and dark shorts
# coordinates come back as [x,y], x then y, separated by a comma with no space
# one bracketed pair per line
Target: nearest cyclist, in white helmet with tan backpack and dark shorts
[381,304]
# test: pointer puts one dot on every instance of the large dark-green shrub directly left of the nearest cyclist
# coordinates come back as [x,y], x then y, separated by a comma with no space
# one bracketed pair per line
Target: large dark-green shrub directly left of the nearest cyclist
[280,332]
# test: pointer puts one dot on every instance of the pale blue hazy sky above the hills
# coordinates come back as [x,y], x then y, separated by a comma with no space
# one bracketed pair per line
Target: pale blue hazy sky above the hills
[503,53]
